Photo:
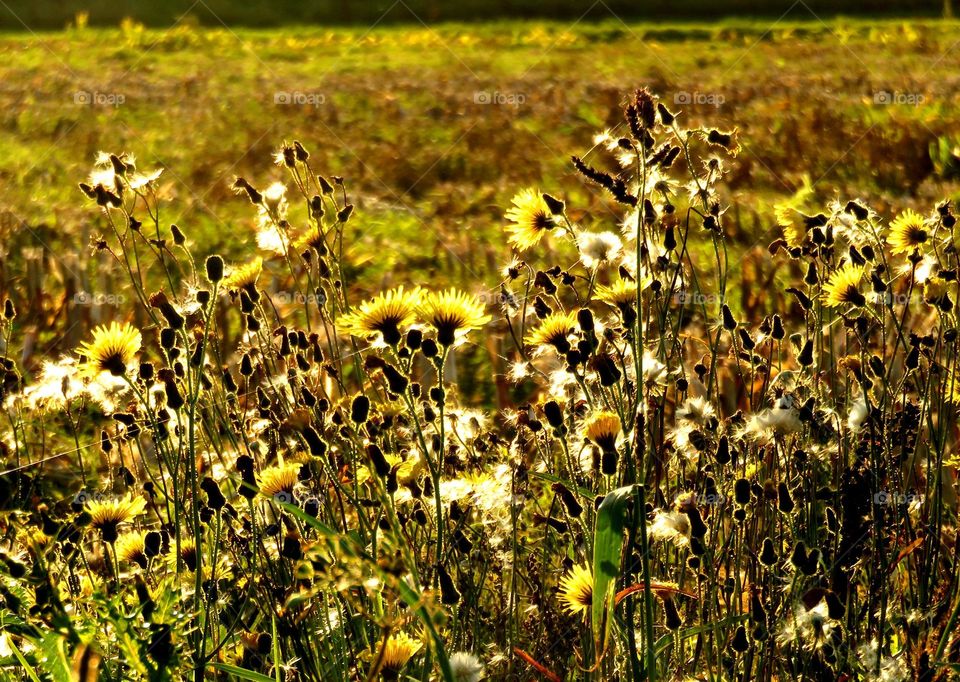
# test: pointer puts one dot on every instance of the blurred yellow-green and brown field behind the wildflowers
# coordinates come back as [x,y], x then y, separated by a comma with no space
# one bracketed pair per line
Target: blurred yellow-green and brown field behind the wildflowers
[435,127]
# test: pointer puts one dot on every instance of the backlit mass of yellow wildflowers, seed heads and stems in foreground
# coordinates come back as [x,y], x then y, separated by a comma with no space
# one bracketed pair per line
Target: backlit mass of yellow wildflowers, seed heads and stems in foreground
[673,486]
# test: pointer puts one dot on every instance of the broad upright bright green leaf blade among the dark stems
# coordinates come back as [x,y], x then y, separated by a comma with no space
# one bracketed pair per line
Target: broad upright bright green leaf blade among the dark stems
[607,546]
